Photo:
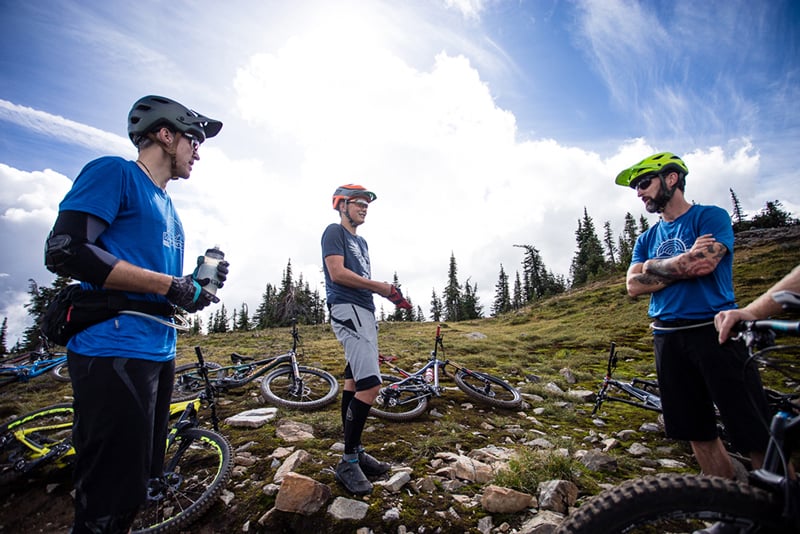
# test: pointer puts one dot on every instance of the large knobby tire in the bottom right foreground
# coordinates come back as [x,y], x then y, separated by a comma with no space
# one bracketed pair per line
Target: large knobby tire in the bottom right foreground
[676,503]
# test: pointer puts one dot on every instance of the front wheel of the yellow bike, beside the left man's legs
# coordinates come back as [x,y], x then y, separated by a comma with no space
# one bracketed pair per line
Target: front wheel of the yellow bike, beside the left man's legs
[197,466]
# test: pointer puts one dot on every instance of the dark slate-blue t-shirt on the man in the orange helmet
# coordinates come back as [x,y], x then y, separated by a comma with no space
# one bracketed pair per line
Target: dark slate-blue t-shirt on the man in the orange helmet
[337,241]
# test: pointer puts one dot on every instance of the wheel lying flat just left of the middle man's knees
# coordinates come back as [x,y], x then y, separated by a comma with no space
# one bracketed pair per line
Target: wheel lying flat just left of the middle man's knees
[314,389]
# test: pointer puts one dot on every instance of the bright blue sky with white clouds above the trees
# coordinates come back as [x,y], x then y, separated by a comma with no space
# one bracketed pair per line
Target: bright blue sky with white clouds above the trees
[479,124]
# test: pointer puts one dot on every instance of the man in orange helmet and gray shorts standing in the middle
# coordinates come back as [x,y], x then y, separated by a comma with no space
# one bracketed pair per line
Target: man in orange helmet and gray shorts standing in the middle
[349,290]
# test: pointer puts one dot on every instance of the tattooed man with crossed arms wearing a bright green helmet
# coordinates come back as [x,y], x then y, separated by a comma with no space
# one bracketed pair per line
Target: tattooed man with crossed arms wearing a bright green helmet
[685,263]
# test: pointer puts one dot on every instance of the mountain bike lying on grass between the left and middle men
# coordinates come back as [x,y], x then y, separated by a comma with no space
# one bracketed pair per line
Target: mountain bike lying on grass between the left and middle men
[288,384]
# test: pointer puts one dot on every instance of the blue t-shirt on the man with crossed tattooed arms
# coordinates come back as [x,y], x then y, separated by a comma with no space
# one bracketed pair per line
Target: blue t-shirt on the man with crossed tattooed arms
[694,298]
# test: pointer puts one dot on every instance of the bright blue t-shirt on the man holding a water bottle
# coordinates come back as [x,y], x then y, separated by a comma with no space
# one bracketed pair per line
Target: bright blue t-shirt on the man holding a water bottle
[144,230]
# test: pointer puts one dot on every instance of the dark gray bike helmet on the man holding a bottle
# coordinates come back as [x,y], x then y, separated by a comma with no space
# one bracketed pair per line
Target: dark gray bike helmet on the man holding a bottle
[151,112]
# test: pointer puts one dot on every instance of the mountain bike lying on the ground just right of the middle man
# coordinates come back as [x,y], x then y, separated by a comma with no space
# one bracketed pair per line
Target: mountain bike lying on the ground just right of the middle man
[407,396]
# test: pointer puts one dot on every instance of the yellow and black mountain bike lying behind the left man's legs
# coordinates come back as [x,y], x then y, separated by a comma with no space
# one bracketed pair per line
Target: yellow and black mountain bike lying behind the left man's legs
[197,463]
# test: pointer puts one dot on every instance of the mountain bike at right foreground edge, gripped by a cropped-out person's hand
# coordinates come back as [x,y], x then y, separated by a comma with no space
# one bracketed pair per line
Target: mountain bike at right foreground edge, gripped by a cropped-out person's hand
[770,502]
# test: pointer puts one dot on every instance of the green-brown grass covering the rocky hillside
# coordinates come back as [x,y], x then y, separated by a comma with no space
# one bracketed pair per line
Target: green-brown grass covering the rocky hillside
[570,331]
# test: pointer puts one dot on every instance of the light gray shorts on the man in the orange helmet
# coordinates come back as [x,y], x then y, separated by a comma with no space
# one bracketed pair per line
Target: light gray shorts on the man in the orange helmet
[357,330]
